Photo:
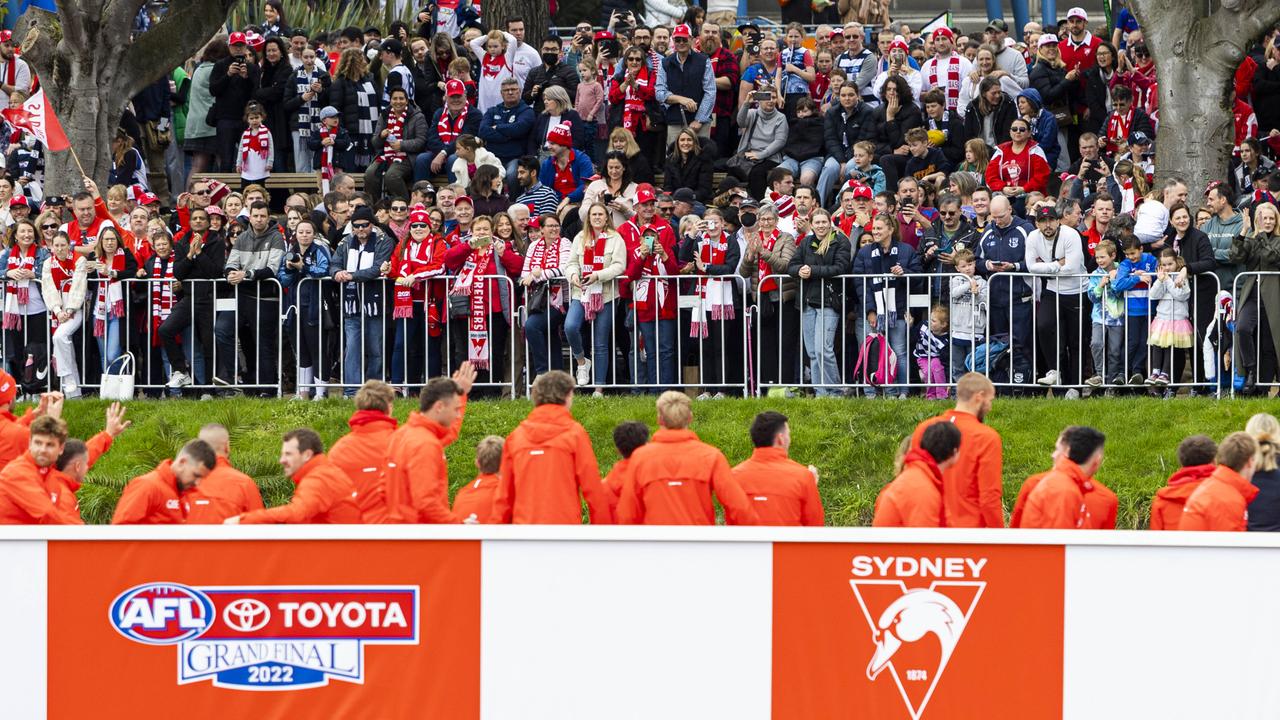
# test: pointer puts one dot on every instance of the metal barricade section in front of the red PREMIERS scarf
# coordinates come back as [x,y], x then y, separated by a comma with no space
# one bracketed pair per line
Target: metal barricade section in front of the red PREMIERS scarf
[348,334]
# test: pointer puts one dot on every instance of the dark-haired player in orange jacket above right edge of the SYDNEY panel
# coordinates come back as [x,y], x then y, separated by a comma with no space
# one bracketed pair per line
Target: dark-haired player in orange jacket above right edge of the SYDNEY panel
[1059,500]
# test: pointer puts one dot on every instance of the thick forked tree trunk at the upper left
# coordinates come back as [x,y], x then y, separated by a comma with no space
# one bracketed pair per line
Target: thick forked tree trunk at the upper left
[90,70]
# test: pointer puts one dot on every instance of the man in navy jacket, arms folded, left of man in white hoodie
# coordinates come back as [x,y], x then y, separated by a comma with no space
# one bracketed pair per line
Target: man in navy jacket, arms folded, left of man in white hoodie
[1003,249]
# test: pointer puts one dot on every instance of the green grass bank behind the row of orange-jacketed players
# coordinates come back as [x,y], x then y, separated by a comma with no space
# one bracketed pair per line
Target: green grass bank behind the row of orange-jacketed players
[851,441]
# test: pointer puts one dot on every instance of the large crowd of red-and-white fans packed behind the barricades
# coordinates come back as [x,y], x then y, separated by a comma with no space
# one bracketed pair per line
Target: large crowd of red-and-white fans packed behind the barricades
[675,204]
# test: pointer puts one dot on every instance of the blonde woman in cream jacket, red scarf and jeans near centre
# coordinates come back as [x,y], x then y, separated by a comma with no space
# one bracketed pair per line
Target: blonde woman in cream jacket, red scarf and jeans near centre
[597,258]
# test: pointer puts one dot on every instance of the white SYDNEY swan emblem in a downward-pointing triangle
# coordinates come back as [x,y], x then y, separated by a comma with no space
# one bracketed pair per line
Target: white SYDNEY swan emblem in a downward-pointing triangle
[916,631]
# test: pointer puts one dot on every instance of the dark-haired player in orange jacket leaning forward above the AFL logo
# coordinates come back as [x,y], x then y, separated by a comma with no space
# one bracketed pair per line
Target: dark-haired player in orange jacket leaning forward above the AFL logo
[154,499]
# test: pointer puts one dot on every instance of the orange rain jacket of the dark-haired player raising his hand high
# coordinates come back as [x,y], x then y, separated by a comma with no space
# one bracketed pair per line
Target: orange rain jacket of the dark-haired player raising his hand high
[418,475]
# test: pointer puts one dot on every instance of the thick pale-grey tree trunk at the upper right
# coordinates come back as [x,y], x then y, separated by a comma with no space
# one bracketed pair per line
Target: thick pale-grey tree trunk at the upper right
[1196,61]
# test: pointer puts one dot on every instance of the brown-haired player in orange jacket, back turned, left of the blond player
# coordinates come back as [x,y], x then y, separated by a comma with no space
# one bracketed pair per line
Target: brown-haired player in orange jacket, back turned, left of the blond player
[547,462]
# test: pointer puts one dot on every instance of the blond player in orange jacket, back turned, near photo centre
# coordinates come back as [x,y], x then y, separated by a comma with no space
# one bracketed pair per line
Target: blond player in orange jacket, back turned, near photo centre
[671,480]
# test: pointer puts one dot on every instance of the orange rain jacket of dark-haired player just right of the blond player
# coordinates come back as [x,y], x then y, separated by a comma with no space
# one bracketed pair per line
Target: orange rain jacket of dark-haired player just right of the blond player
[783,491]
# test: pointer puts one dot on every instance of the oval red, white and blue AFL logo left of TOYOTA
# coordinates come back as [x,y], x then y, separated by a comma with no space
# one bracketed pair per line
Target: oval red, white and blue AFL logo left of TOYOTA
[162,614]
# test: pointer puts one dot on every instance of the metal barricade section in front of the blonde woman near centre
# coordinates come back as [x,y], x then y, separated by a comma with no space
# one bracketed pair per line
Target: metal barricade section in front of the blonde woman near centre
[705,345]
